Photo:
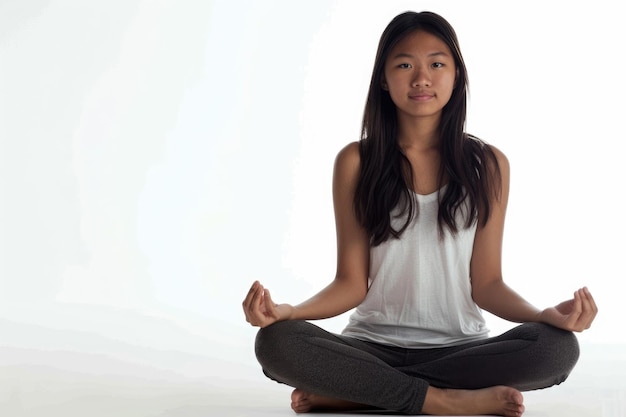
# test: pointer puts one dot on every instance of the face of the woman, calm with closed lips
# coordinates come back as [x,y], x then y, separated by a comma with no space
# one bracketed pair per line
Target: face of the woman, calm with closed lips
[420,75]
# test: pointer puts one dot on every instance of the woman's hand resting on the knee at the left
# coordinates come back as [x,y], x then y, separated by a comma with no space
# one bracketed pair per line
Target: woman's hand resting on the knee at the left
[260,310]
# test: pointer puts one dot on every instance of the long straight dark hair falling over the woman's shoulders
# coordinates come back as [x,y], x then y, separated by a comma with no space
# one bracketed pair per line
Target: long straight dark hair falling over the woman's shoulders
[386,177]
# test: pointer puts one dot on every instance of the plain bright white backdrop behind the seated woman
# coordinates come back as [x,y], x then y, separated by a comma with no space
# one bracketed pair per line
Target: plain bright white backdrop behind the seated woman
[159,156]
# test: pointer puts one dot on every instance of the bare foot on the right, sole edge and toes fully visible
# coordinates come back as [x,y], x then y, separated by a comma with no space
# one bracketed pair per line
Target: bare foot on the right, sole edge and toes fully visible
[499,400]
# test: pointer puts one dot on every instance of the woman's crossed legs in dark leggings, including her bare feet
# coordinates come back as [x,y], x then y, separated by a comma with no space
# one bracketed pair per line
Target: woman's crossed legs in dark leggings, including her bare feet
[335,372]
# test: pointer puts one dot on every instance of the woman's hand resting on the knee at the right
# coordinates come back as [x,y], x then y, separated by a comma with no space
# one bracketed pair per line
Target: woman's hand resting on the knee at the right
[574,315]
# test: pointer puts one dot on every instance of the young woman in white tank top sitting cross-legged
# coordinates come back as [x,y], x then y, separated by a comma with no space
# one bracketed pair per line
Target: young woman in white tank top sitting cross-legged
[419,208]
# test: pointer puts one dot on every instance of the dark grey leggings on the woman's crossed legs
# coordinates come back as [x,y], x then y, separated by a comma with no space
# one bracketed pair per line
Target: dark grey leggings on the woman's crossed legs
[300,354]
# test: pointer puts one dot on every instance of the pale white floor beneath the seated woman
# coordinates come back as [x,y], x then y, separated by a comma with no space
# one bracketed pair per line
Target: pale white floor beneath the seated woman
[156,368]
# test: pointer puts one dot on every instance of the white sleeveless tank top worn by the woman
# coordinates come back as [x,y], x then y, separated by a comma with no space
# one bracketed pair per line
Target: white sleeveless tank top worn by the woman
[419,286]
